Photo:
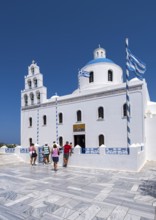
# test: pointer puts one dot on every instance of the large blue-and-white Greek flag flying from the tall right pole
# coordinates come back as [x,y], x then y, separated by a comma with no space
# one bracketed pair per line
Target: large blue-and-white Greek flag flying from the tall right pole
[135,65]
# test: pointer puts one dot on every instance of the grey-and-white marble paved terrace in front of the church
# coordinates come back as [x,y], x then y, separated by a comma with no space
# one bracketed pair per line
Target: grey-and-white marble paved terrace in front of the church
[38,192]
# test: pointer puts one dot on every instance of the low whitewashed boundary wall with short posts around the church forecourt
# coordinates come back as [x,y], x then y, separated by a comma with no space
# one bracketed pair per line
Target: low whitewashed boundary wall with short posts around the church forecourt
[132,162]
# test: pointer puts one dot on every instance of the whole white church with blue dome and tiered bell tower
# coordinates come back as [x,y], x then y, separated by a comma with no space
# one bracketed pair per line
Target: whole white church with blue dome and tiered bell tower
[94,115]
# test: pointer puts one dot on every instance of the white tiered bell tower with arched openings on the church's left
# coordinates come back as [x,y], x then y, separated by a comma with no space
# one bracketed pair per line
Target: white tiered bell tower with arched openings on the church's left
[34,92]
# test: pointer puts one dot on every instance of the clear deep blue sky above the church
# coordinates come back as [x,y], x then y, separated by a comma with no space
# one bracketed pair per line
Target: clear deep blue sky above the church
[61,36]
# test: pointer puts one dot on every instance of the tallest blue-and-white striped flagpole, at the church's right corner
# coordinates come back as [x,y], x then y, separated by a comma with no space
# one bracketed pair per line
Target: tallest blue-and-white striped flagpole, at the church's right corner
[127,102]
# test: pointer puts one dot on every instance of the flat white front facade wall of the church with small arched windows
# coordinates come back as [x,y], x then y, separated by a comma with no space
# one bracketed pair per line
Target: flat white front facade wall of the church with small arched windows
[113,126]
